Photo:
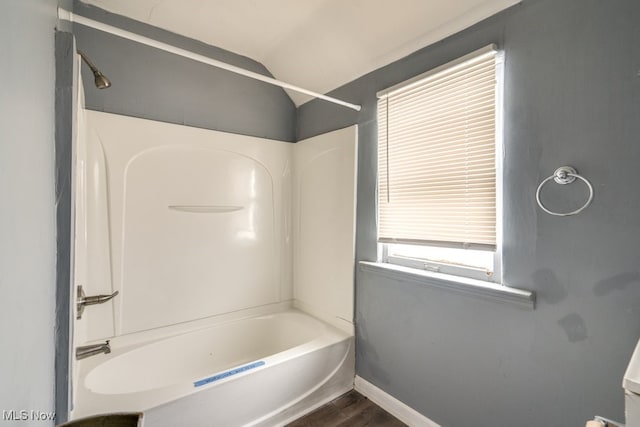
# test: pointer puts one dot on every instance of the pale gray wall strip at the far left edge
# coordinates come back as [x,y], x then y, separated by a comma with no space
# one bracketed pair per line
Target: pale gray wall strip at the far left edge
[27,210]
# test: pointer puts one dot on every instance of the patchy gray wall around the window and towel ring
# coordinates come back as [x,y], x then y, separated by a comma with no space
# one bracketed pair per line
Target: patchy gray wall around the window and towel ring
[572,96]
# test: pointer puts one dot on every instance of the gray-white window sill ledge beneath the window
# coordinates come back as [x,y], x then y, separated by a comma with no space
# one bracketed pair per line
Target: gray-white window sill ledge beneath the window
[448,282]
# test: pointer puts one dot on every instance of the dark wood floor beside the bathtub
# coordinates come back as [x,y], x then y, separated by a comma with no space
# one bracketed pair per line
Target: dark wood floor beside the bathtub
[349,410]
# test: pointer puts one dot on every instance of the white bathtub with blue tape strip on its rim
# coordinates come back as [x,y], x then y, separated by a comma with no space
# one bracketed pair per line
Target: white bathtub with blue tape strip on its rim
[264,370]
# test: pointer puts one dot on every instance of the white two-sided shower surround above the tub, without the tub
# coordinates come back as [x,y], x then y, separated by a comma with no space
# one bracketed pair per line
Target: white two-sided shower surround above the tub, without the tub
[188,223]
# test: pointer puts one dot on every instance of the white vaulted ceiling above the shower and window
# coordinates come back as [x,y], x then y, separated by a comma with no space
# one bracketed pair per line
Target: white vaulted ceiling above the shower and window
[316,44]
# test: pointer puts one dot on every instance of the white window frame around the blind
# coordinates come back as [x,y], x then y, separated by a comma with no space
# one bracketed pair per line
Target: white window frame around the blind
[456,270]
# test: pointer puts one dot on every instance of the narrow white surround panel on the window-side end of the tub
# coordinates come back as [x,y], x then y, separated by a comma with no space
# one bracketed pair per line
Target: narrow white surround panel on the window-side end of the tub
[324,225]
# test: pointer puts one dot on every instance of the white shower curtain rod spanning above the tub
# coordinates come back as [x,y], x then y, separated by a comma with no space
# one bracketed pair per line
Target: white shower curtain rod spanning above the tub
[65,15]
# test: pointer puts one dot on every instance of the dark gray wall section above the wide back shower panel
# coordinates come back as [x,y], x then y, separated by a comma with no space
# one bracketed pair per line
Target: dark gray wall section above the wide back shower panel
[157,85]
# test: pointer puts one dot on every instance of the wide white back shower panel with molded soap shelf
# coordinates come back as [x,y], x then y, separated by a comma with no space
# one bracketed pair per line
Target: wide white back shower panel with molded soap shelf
[194,222]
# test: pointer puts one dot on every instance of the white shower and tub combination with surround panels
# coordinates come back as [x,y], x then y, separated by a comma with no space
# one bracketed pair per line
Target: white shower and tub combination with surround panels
[214,321]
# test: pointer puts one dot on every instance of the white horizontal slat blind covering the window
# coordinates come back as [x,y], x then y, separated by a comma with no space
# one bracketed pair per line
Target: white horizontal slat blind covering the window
[436,156]
